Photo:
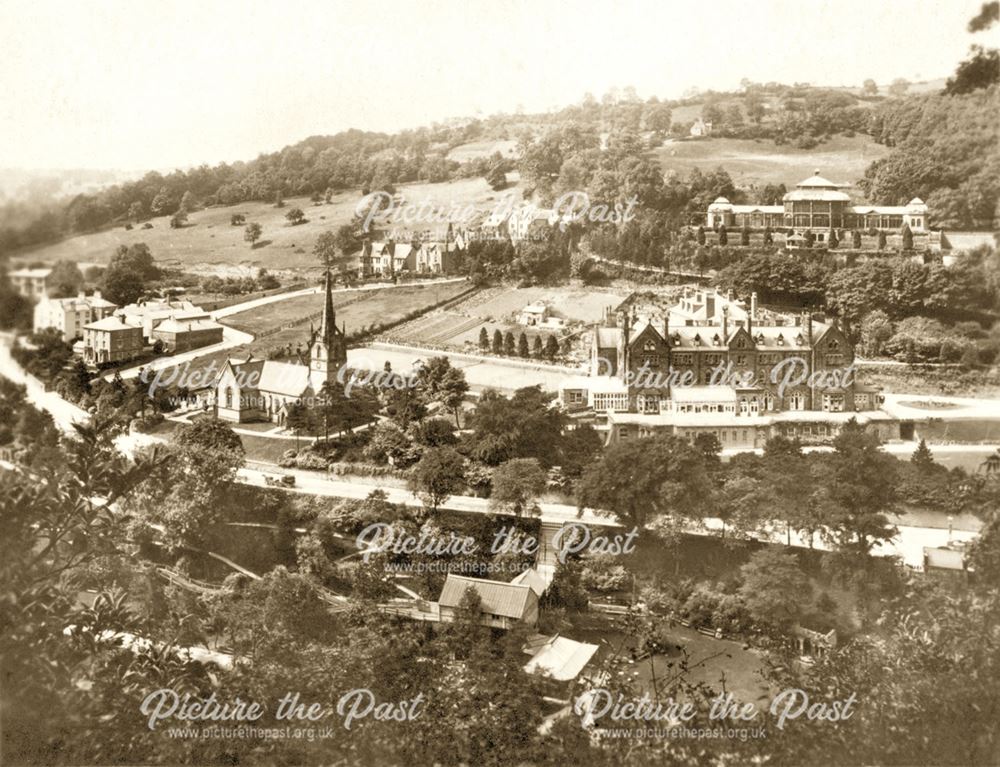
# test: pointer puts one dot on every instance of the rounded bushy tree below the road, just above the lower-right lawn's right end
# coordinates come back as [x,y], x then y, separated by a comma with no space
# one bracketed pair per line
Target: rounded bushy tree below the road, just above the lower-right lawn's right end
[774,588]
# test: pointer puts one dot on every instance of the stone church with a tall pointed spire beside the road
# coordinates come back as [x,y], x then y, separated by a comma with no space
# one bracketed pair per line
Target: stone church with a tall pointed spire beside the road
[262,390]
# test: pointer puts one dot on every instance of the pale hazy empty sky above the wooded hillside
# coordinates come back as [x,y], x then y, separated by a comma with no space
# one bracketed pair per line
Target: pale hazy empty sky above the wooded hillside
[152,84]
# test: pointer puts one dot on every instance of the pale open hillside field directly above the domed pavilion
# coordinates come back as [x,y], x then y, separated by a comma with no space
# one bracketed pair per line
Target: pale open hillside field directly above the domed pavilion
[761,162]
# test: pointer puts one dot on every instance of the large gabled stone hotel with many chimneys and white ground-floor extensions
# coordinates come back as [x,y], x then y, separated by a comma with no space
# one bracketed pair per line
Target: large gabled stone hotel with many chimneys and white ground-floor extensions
[713,364]
